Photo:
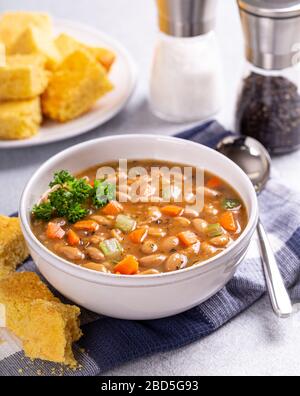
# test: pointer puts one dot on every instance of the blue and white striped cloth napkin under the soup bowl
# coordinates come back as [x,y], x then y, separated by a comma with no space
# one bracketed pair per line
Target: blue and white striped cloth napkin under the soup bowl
[108,343]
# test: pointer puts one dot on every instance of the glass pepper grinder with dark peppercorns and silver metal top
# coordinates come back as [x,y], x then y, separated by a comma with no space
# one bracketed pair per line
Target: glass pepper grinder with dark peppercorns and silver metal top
[268,107]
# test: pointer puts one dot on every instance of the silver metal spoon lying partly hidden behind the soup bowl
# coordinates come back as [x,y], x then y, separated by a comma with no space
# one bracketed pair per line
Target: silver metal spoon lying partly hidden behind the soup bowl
[255,161]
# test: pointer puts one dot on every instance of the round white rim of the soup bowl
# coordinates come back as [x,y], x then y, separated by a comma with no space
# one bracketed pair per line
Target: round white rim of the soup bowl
[70,268]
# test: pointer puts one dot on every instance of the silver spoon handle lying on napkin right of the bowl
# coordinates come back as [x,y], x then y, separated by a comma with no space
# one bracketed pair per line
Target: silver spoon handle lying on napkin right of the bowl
[280,299]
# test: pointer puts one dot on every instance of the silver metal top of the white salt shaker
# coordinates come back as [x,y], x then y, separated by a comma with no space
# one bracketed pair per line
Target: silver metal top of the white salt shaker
[186,18]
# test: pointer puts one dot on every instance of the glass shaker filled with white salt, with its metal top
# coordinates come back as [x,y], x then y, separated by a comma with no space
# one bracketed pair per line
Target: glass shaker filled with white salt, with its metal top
[186,82]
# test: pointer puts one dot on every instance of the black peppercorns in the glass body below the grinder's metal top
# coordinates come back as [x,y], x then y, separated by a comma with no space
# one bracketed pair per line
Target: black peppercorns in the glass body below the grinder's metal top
[269,110]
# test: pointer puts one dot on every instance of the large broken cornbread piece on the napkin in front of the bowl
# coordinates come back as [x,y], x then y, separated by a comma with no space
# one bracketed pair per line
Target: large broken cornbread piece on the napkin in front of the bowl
[46,327]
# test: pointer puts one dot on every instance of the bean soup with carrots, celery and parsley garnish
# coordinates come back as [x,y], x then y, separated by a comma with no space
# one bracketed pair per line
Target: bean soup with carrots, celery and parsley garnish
[90,221]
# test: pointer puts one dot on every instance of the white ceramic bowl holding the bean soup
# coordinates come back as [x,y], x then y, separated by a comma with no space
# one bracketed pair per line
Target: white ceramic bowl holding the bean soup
[139,297]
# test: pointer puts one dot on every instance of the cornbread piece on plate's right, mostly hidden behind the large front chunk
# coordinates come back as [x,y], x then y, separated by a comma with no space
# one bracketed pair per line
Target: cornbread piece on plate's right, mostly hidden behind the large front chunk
[67,44]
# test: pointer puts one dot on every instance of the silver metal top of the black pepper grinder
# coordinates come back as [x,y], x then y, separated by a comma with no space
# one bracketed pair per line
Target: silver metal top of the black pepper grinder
[272,32]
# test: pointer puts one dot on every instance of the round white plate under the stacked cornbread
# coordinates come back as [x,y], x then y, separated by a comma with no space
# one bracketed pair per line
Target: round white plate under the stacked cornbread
[123,75]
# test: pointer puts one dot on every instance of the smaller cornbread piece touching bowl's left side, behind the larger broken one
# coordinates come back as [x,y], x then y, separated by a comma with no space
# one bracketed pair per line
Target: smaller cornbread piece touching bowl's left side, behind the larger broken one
[13,249]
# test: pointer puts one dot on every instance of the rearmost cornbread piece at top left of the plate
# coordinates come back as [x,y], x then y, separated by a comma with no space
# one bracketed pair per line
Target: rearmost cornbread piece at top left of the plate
[12,24]
